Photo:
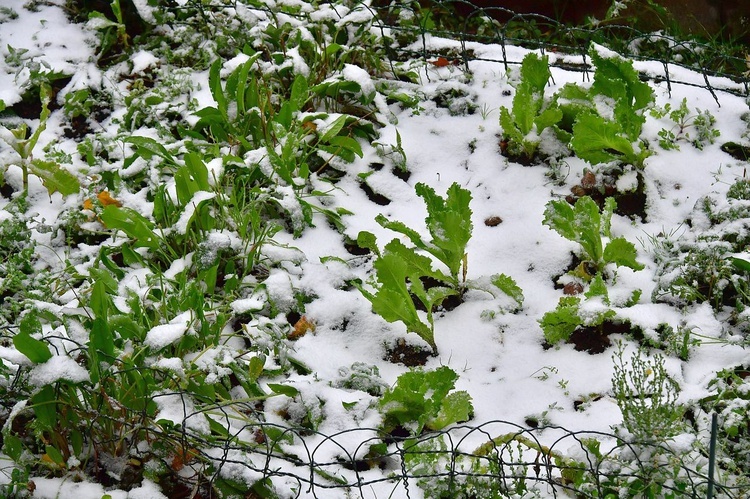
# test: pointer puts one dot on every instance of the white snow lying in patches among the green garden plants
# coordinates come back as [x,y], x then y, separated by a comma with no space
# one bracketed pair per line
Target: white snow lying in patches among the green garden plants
[499,356]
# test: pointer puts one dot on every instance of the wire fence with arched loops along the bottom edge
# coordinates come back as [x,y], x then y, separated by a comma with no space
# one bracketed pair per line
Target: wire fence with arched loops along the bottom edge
[493,459]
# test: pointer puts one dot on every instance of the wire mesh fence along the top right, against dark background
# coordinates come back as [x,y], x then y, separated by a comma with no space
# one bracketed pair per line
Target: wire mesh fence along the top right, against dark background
[461,20]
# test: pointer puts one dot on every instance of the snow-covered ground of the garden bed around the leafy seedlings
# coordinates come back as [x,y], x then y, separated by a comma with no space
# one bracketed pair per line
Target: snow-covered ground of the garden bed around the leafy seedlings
[501,357]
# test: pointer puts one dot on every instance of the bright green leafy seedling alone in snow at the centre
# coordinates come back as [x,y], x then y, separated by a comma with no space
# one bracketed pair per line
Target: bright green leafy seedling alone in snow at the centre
[402,271]
